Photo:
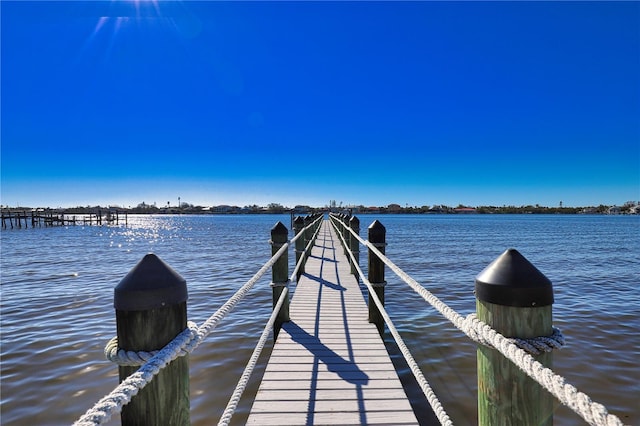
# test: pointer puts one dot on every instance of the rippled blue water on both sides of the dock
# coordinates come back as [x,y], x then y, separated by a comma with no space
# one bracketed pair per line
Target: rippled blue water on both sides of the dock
[57,313]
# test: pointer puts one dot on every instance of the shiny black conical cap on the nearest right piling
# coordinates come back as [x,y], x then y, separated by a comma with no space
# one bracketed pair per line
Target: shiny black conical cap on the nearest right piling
[511,280]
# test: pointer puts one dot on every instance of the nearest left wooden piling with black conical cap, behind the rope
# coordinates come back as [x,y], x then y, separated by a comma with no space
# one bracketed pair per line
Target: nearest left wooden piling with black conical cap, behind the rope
[151,310]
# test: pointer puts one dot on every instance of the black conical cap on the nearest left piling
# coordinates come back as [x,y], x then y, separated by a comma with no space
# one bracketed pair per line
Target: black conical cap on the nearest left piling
[151,284]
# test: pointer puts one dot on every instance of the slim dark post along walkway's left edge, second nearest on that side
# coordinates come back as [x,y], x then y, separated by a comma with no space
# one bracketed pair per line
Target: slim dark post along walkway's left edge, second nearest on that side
[279,274]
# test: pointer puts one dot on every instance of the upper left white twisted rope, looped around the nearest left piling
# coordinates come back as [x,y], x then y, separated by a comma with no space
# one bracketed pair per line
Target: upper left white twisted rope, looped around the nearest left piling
[155,361]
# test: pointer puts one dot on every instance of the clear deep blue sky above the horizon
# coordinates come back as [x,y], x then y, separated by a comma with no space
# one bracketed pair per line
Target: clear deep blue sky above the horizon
[418,103]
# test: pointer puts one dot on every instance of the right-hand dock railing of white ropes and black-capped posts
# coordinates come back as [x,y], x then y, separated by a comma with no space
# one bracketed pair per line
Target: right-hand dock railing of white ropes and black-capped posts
[513,298]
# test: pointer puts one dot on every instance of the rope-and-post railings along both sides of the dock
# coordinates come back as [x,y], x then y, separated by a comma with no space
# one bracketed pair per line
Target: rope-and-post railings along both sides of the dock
[152,297]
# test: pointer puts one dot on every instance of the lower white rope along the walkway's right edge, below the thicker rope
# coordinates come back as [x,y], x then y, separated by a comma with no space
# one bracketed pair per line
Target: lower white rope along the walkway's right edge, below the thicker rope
[432,398]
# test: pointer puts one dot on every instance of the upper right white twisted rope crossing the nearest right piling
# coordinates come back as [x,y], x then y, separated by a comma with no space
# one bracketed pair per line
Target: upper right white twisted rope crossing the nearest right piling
[592,412]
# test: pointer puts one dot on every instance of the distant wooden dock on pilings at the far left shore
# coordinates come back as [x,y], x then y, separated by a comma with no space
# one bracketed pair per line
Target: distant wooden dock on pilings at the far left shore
[38,218]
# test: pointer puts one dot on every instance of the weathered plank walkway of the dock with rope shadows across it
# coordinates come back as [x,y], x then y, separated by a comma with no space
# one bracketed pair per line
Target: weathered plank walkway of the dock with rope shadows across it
[329,365]
